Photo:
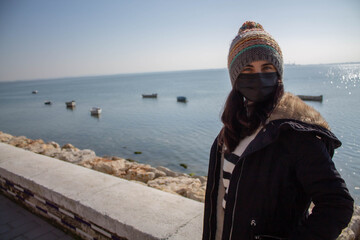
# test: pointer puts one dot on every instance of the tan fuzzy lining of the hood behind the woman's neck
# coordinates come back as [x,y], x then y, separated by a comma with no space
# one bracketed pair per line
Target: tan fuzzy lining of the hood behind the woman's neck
[292,107]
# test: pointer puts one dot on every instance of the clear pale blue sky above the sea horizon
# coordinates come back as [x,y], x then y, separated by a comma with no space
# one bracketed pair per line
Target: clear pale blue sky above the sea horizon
[42,39]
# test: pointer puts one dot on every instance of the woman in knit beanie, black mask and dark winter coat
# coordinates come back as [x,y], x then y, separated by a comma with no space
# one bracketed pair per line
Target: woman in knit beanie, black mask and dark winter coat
[272,157]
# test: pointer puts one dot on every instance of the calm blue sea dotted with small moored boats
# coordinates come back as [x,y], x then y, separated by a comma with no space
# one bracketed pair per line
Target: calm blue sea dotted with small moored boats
[162,131]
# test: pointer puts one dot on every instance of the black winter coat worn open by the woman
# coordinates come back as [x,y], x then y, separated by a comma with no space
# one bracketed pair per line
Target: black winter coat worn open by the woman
[285,168]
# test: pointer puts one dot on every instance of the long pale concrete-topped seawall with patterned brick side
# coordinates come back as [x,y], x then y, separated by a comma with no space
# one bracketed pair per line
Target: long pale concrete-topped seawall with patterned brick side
[123,209]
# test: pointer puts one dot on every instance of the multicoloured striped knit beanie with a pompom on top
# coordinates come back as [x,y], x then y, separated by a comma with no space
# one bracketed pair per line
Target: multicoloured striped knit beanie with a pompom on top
[253,44]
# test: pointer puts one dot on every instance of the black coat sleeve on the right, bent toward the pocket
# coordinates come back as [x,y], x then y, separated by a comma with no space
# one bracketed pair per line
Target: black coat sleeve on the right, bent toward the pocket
[320,180]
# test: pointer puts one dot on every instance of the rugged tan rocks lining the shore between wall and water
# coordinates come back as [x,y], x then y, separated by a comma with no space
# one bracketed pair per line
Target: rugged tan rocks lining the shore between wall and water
[162,178]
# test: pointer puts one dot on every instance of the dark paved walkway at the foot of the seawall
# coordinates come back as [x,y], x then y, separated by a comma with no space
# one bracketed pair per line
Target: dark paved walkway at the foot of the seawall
[18,223]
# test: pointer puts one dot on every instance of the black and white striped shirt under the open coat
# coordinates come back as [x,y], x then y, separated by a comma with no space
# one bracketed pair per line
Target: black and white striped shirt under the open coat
[231,159]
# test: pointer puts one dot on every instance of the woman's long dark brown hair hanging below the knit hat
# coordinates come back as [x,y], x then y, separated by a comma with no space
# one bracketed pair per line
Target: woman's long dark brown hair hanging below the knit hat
[241,120]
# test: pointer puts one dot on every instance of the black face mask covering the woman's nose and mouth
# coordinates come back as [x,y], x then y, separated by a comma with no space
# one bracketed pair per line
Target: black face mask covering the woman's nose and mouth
[257,87]
